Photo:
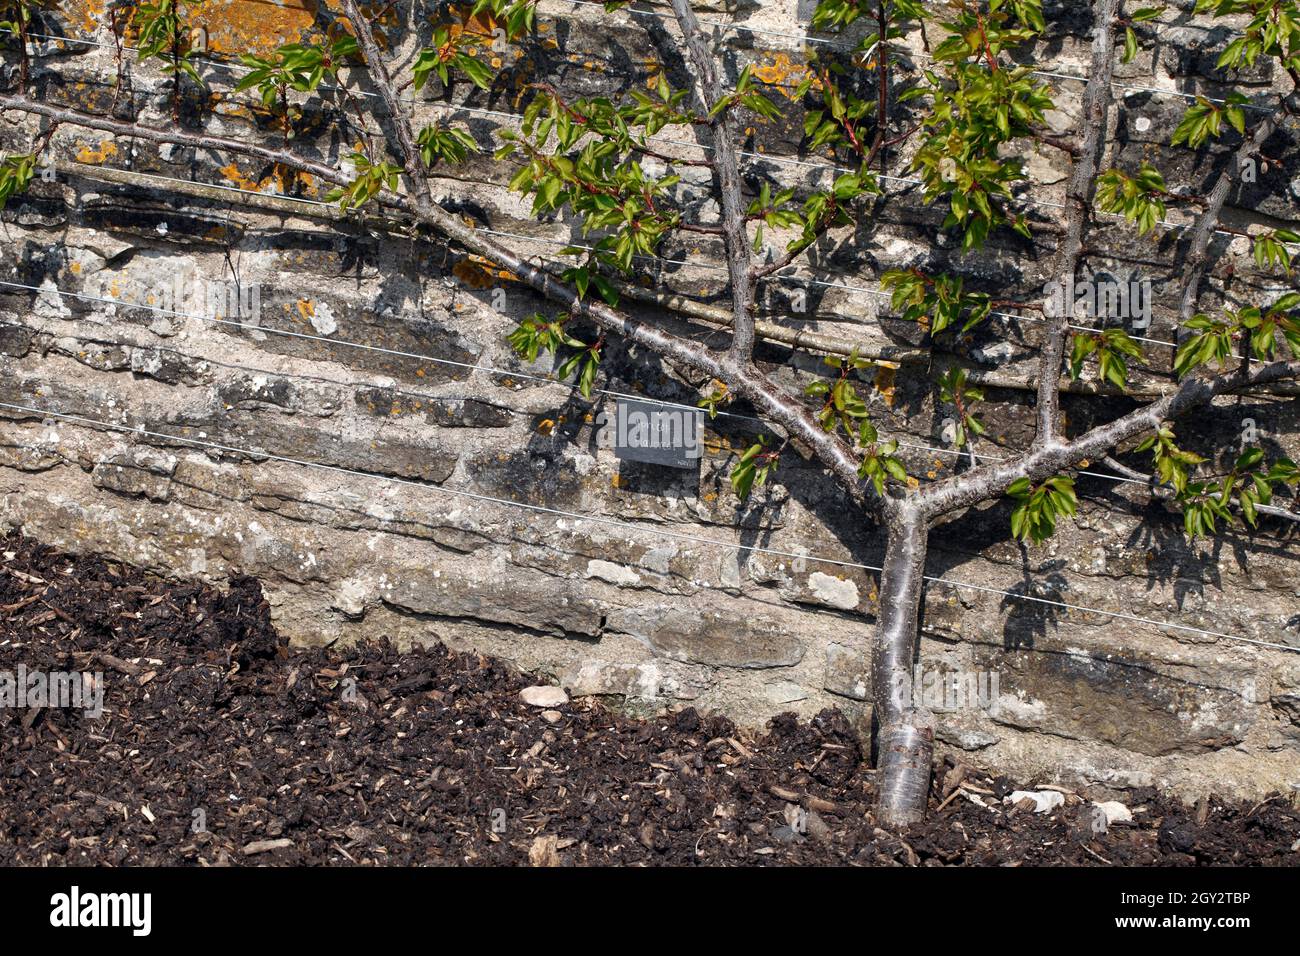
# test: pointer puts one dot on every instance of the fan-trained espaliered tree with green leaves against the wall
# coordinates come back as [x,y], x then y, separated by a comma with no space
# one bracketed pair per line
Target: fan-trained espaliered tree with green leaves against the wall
[957,126]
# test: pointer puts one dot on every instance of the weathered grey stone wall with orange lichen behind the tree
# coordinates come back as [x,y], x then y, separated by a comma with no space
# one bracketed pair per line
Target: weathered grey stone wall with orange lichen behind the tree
[657,615]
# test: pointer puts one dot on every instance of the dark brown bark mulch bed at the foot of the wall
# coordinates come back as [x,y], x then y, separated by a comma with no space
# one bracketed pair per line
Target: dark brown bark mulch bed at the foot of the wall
[370,755]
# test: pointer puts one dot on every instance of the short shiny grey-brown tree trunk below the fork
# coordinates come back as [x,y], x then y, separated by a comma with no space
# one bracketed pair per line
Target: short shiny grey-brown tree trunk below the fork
[905,736]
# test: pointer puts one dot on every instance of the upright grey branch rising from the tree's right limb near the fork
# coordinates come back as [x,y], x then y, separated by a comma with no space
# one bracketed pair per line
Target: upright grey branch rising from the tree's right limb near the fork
[1097,111]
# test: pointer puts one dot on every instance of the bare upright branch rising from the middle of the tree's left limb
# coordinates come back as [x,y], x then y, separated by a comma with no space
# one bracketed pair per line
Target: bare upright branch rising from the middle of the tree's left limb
[727,180]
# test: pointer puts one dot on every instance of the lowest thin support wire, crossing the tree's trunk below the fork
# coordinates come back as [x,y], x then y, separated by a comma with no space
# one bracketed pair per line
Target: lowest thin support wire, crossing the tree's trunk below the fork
[629,526]
